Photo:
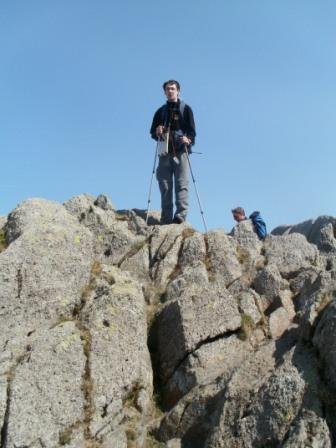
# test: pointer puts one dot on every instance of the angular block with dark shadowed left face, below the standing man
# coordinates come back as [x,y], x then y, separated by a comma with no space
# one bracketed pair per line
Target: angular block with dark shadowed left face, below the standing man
[181,331]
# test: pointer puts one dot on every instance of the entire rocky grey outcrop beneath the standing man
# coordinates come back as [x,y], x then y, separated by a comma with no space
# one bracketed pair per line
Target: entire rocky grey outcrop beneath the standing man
[120,334]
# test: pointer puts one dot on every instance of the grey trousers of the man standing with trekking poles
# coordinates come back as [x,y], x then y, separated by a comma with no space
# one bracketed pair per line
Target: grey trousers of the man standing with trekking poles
[167,171]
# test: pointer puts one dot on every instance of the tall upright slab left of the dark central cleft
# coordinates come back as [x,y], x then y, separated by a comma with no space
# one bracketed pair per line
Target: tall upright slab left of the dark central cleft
[114,323]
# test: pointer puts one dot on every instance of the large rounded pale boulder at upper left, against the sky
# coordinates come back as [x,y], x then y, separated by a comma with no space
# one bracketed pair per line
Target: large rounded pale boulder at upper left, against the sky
[42,272]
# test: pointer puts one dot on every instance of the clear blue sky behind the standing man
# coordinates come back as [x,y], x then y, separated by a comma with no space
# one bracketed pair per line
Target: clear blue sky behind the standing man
[80,81]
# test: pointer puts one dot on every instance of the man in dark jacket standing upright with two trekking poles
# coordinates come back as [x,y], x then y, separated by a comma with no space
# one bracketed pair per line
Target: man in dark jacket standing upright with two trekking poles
[175,120]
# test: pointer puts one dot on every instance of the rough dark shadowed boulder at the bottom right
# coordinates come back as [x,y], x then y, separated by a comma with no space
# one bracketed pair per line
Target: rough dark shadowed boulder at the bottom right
[261,412]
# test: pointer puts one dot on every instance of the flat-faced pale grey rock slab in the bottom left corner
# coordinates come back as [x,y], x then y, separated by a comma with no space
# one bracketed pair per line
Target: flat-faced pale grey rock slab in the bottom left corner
[46,388]
